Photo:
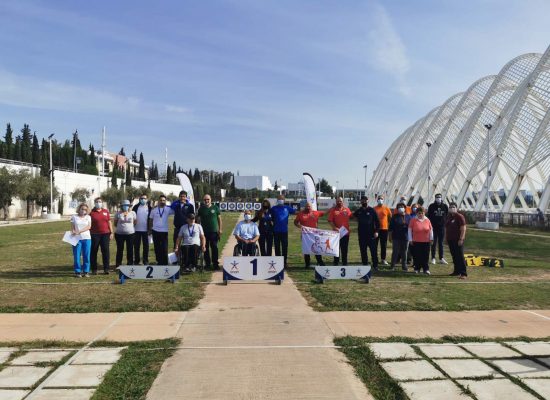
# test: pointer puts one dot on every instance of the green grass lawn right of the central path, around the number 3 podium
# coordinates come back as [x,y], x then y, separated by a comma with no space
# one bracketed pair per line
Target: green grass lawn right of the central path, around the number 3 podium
[524,283]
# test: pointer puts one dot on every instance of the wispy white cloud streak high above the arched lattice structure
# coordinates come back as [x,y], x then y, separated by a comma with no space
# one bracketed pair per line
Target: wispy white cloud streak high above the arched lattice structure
[388,51]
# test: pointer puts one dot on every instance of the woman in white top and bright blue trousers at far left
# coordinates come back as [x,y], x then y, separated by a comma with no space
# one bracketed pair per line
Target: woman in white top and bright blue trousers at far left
[80,225]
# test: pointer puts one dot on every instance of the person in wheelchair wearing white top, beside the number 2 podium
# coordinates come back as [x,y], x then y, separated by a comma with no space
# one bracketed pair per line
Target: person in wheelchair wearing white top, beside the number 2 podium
[191,242]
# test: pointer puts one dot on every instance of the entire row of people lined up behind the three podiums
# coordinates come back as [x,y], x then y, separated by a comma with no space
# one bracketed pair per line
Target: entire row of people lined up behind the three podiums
[412,231]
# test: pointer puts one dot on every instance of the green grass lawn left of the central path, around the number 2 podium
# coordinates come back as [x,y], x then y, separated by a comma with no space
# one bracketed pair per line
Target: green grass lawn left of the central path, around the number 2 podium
[34,261]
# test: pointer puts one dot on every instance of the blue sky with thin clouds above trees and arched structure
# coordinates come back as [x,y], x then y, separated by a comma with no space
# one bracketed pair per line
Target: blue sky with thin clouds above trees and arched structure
[264,87]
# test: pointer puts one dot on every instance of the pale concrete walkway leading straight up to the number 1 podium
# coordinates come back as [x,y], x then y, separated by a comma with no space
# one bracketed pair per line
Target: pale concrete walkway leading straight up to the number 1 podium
[256,341]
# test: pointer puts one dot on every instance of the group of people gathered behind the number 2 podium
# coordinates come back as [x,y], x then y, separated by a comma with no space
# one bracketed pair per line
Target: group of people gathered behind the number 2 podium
[135,228]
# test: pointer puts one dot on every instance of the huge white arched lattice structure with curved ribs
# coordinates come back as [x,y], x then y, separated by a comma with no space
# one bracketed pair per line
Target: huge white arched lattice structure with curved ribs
[488,146]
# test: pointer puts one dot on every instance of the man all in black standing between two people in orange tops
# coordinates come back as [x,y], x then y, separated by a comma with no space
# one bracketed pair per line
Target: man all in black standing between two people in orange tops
[367,230]
